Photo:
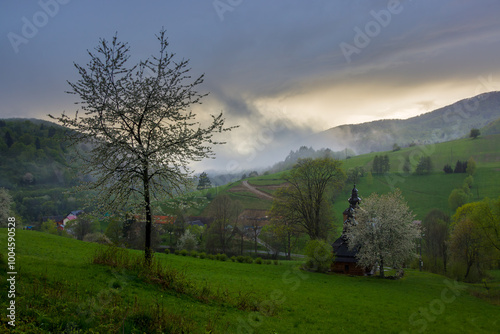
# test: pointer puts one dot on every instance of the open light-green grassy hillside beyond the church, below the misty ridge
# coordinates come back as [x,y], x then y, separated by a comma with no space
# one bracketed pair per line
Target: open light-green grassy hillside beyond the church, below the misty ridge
[423,192]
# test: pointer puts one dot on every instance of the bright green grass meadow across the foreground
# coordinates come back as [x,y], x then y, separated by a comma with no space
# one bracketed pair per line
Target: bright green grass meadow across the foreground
[58,289]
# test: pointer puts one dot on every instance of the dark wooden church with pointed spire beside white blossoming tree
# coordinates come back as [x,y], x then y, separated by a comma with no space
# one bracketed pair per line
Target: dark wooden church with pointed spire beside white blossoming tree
[345,261]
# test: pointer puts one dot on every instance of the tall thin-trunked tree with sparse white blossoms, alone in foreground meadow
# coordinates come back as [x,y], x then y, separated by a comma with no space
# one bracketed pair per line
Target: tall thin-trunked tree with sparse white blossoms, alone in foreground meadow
[140,124]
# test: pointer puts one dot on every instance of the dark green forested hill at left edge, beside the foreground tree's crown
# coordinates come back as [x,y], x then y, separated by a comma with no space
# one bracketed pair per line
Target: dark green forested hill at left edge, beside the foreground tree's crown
[35,168]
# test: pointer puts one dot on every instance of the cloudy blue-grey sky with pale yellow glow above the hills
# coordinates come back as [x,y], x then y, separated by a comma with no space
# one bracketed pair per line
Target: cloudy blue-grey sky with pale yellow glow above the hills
[281,69]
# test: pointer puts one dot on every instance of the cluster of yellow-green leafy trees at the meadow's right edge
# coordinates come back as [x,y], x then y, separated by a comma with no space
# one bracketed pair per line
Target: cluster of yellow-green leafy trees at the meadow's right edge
[466,245]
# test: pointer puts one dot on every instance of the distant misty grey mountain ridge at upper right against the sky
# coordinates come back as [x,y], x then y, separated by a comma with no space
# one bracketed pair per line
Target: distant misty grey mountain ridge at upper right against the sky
[443,124]
